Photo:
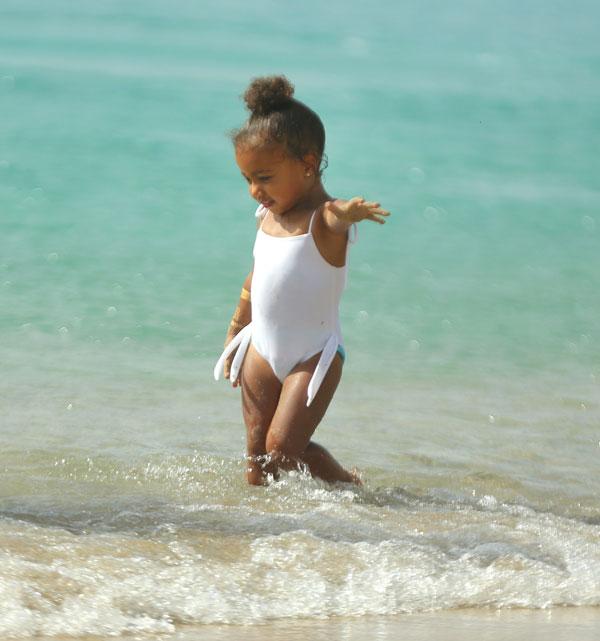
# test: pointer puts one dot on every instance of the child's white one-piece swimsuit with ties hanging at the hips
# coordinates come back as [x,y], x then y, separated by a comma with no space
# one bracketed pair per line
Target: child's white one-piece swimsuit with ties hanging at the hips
[295,307]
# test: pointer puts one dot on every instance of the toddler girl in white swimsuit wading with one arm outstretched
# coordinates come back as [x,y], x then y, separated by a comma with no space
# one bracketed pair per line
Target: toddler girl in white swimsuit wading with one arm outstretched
[285,330]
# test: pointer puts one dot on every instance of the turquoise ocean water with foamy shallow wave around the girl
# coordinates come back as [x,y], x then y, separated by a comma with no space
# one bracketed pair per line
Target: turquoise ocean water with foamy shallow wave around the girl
[470,399]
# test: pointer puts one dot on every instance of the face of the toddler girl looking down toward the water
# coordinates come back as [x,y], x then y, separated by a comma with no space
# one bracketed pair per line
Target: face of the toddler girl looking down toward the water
[275,179]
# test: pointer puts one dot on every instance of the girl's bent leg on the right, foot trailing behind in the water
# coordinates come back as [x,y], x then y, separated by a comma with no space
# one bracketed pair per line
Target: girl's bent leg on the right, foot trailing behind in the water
[292,425]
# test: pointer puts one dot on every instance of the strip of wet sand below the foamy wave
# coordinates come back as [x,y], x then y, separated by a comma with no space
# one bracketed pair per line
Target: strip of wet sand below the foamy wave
[557,624]
